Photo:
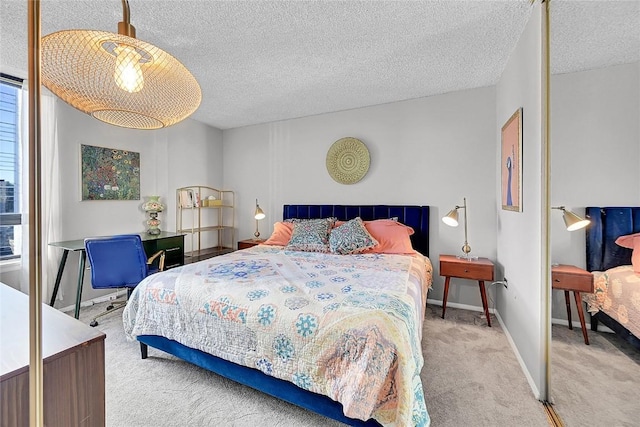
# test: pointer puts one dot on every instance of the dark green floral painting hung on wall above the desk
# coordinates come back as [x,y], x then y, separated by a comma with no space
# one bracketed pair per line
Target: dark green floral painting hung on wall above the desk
[109,173]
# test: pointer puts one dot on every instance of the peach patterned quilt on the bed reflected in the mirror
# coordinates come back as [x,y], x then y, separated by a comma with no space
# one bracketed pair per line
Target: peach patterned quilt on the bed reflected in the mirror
[617,293]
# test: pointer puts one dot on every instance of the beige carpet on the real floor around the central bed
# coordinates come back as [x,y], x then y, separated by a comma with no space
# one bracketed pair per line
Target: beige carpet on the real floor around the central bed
[471,378]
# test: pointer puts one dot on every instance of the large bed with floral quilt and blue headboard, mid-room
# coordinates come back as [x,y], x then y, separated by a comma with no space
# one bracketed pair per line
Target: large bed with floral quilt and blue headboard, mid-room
[338,334]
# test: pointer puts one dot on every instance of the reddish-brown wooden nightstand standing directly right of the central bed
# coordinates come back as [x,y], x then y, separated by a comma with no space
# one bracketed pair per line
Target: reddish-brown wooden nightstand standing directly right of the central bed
[479,269]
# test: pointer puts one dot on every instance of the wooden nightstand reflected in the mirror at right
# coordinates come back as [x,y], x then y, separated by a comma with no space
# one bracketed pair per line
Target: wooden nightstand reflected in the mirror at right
[571,278]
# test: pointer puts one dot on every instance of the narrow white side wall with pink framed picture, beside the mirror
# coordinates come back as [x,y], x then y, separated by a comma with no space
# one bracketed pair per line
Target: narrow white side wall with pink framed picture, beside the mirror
[519,234]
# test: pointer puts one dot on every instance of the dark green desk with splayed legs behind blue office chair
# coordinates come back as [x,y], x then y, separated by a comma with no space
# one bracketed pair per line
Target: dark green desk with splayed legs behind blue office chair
[171,243]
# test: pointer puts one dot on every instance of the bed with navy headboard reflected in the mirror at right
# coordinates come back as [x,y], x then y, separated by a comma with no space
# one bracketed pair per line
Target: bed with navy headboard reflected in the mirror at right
[616,300]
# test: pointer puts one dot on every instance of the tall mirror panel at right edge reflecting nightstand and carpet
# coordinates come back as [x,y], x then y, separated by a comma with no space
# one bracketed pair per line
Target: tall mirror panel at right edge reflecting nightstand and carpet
[595,156]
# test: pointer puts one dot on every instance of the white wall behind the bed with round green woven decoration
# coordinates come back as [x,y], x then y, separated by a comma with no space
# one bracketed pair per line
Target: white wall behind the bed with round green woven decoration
[428,151]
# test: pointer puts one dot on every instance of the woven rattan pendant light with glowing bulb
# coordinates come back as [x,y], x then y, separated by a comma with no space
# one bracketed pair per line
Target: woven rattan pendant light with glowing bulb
[117,78]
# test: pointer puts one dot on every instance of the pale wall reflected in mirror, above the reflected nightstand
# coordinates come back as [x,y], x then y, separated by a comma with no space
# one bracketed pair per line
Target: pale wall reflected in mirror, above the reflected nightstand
[595,153]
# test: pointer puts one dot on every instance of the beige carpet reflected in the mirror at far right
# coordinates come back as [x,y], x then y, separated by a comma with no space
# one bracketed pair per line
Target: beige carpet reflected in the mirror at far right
[596,384]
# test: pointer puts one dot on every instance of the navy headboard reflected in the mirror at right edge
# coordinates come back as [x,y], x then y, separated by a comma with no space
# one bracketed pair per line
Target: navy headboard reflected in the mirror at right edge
[607,224]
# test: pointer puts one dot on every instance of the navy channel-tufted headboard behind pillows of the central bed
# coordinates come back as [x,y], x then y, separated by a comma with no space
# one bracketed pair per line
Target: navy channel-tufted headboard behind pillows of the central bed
[416,217]
